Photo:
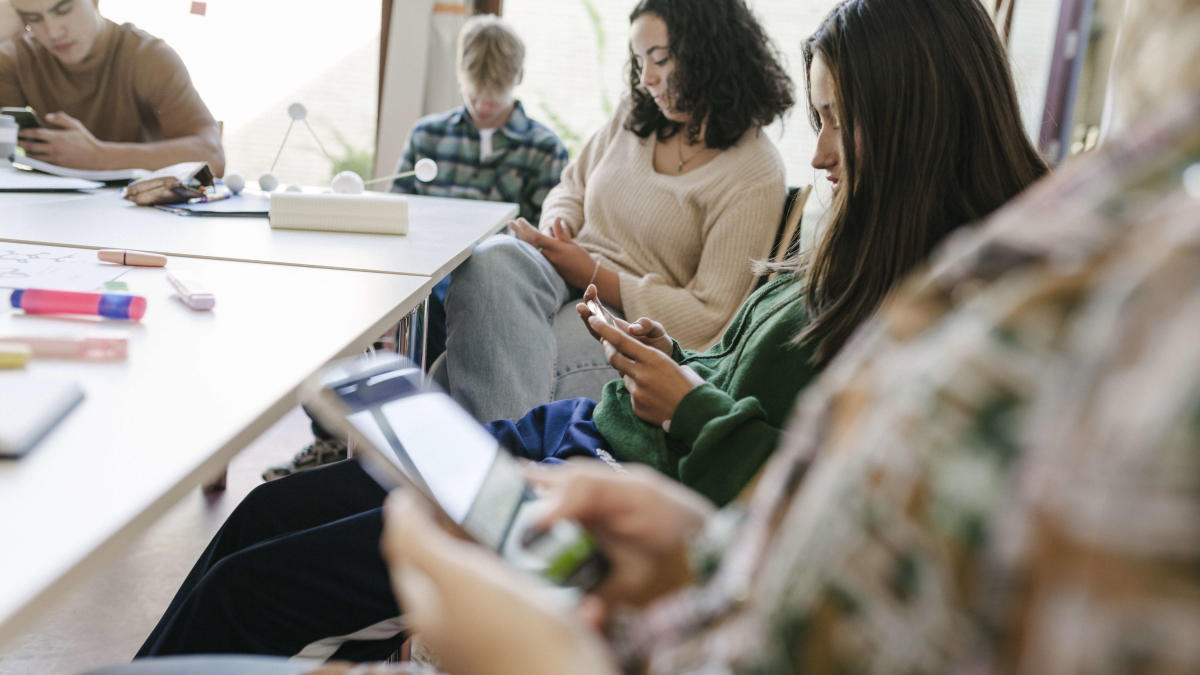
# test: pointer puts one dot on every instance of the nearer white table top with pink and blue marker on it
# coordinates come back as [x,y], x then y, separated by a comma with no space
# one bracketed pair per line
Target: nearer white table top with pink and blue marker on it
[196,389]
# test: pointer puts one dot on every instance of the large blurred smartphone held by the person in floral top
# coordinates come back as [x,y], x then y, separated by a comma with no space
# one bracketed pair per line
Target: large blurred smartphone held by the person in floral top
[410,434]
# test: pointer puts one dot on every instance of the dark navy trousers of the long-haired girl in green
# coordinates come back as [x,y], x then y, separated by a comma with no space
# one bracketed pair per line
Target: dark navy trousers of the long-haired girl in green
[297,568]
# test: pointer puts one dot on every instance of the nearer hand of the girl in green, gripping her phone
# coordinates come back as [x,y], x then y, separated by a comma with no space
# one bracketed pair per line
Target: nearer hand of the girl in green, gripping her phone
[656,383]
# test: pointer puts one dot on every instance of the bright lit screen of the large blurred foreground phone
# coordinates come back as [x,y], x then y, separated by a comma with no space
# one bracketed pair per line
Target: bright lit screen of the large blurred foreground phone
[440,449]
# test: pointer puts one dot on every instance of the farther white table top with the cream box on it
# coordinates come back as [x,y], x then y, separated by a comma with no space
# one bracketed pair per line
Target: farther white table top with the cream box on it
[442,234]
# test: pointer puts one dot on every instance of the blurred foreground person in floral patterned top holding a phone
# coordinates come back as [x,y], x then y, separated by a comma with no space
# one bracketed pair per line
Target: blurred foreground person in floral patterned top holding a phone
[1001,475]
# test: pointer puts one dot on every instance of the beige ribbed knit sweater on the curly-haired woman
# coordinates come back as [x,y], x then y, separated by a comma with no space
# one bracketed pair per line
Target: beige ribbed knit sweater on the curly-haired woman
[681,244]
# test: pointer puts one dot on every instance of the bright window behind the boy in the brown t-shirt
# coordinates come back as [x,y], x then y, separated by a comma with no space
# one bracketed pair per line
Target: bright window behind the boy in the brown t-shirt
[250,59]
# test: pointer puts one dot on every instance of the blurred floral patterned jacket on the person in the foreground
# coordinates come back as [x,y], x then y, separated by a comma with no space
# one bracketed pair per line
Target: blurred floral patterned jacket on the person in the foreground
[1001,473]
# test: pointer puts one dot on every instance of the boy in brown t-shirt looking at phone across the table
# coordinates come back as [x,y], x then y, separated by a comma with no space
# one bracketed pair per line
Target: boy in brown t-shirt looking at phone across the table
[111,97]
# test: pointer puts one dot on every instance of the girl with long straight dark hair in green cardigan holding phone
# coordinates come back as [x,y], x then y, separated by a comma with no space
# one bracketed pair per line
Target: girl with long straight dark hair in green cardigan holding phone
[297,568]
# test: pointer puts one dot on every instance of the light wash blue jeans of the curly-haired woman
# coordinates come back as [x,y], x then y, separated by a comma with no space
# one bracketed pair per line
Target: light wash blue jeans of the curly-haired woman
[514,341]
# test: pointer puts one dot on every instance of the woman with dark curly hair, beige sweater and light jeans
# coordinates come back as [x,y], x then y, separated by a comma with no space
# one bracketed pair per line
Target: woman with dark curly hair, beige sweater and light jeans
[663,211]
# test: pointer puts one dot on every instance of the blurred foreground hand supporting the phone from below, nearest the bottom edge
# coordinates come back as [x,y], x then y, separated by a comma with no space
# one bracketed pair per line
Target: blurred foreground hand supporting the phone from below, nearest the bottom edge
[477,614]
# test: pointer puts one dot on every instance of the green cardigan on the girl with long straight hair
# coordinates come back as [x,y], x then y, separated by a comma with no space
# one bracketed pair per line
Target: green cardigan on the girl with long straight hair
[725,429]
